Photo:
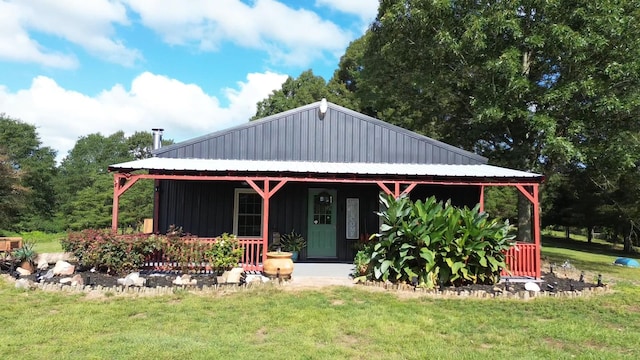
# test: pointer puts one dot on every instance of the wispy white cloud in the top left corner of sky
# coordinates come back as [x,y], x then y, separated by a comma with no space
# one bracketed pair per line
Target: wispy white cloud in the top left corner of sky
[88,24]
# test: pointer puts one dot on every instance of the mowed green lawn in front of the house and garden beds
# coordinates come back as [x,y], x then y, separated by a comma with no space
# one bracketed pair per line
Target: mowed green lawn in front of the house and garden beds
[337,322]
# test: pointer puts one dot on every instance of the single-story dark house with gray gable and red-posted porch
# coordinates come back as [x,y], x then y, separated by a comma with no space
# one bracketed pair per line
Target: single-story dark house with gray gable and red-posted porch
[317,169]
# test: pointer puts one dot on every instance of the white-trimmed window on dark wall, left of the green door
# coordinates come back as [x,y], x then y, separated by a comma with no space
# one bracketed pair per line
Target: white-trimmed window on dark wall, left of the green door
[247,213]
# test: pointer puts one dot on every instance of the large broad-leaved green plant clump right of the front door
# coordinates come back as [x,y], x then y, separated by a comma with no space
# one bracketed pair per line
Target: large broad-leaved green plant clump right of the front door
[437,244]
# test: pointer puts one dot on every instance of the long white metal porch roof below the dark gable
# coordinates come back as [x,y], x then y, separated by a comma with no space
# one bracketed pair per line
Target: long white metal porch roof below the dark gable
[218,165]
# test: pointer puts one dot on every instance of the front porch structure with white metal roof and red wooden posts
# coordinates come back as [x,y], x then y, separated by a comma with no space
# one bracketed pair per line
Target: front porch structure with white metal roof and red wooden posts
[523,259]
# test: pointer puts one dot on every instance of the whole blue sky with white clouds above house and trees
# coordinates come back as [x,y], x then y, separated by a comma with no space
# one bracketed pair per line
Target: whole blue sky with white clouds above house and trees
[76,67]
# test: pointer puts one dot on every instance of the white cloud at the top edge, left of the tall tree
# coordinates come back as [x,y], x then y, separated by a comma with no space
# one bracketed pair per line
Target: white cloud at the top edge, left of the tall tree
[291,36]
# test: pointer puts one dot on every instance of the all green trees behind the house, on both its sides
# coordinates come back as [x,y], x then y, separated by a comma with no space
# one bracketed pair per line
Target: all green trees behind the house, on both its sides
[546,86]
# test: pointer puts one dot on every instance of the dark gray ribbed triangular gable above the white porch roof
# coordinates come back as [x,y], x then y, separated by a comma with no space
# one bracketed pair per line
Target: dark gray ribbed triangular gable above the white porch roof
[342,136]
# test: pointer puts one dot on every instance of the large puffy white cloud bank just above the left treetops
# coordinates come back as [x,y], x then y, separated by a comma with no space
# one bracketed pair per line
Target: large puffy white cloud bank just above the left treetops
[183,110]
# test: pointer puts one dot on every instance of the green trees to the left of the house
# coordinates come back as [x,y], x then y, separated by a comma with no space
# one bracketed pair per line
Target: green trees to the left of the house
[38,194]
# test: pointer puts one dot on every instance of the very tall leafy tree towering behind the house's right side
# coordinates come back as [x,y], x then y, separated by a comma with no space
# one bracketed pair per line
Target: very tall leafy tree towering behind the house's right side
[534,85]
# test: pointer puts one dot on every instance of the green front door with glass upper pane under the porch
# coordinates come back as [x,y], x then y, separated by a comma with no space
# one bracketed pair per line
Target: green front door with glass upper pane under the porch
[321,236]
